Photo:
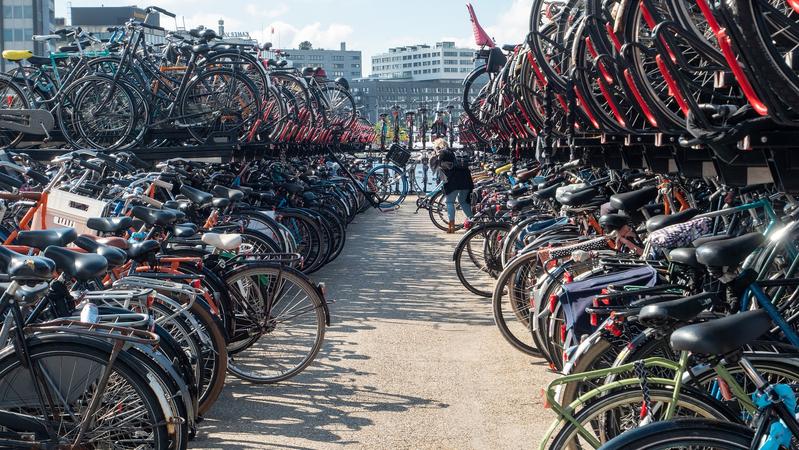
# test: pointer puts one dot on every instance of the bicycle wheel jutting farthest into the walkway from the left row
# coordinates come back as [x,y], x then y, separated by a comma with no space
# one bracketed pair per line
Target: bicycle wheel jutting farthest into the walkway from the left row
[283,338]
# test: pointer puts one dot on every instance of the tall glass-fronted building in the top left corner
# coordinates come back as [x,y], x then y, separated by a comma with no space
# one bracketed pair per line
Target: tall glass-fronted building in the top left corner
[21,20]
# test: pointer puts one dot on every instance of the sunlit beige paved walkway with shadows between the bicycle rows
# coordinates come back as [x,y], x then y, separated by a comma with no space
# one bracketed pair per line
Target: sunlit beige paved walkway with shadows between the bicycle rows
[412,360]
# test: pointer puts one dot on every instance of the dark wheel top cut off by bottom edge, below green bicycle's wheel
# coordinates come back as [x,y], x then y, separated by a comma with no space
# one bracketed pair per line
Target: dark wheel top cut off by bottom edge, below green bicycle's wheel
[685,433]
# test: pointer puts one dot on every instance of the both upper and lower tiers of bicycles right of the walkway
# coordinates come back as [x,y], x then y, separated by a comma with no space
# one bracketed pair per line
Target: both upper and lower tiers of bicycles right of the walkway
[666,299]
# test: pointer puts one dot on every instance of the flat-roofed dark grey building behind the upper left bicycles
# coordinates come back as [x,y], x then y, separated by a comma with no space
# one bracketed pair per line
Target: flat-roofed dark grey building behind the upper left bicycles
[97,19]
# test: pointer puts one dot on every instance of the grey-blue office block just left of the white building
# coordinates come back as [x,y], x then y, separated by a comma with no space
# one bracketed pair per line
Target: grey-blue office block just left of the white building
[337,63]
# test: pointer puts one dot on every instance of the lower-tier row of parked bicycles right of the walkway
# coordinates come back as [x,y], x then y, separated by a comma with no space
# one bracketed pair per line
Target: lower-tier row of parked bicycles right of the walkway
[667,304]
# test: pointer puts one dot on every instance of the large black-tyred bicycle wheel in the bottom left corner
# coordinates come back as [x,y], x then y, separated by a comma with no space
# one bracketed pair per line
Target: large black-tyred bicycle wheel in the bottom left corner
[128,414]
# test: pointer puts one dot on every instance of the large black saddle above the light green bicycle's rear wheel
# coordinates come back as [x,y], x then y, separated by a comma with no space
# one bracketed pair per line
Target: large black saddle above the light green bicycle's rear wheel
[721,336]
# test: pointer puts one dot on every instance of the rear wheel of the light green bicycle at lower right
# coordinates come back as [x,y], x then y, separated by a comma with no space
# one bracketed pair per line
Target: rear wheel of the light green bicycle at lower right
[621,411]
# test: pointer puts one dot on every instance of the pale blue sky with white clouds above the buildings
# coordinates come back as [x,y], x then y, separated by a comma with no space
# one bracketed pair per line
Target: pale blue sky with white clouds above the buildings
[367,25]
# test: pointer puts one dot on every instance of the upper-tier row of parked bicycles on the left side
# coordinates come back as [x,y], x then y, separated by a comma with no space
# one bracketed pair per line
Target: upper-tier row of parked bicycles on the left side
[196,88]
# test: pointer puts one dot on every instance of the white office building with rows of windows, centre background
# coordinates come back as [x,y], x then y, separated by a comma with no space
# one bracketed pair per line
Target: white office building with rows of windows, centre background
[442,61]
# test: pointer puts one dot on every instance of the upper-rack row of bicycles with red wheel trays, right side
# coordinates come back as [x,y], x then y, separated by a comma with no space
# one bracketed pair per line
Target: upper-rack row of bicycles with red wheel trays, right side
[652,73]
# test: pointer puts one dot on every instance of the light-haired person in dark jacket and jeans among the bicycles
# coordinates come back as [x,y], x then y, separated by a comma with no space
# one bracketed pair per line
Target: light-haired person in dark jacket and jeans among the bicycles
[457,177]
